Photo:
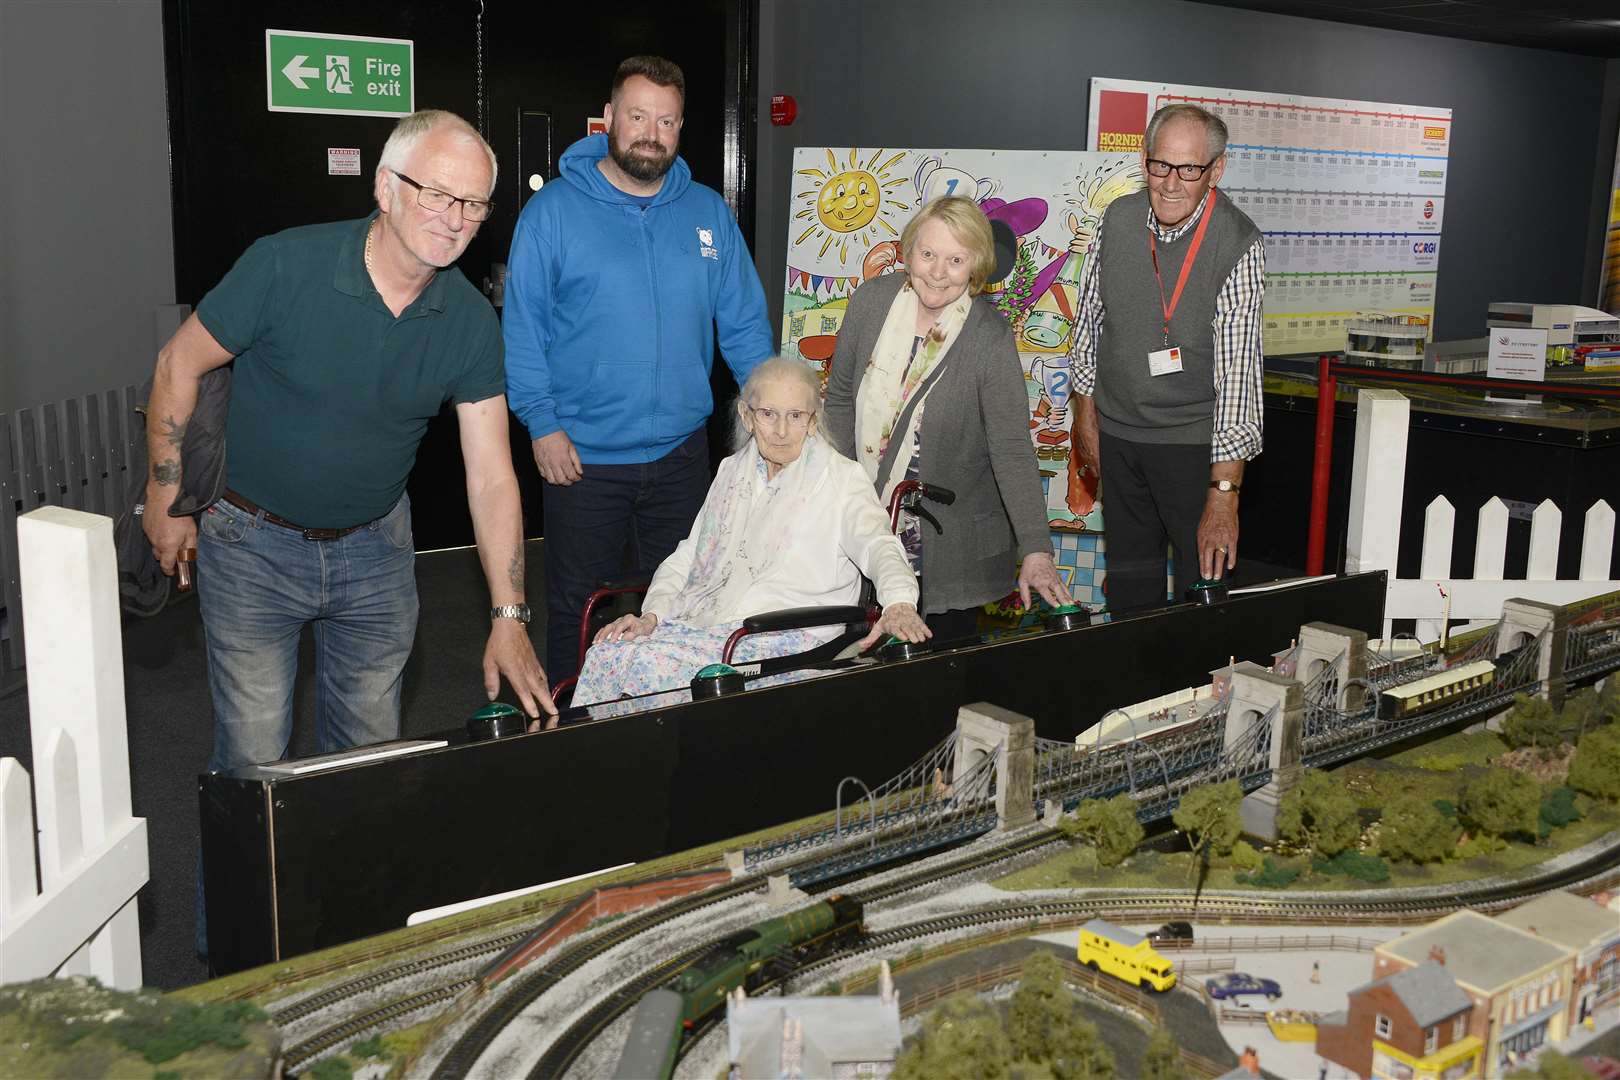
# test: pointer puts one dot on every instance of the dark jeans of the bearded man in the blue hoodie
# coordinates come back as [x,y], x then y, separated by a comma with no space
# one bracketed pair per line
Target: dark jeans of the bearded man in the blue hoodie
[594,521]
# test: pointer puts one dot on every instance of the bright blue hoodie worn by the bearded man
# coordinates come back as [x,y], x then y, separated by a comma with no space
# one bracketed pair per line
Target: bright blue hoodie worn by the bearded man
[612,310]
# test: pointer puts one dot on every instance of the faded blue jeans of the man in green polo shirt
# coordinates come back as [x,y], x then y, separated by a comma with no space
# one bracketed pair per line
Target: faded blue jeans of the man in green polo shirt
[258,585]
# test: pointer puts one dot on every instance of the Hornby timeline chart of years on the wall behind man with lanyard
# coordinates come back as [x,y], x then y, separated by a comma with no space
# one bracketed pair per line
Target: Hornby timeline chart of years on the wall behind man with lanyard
[1350,197]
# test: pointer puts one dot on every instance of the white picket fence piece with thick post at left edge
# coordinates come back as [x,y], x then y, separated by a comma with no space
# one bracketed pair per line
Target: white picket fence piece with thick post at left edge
[77,917]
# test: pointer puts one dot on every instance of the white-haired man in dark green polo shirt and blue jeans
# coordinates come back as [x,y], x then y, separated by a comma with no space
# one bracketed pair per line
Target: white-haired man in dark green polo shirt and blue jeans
[347,338]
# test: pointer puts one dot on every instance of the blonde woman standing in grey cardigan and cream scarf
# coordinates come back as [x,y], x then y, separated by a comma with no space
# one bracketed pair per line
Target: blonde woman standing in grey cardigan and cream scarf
[926,385]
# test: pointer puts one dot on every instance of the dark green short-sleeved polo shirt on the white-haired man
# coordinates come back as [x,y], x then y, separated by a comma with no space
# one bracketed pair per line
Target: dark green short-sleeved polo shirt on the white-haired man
[331,394]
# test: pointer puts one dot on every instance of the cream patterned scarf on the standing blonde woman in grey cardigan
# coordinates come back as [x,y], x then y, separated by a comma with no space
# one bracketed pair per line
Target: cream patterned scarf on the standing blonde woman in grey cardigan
[893,376]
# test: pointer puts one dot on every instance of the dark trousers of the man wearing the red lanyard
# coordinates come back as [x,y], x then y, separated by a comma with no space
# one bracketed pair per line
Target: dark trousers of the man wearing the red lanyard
[1153,496]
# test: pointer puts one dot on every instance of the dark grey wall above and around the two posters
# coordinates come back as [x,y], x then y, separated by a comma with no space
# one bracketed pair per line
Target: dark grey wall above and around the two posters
[1530,125]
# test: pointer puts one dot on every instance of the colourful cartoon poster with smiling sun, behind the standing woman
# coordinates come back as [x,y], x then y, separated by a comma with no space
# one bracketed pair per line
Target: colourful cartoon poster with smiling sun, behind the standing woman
[848,208]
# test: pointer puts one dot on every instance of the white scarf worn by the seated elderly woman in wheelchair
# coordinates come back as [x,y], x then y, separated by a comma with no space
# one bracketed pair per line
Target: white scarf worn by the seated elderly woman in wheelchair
[743,530]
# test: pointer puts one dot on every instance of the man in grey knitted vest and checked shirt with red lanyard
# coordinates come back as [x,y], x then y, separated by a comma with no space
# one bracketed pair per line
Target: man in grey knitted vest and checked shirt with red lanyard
[1167,364]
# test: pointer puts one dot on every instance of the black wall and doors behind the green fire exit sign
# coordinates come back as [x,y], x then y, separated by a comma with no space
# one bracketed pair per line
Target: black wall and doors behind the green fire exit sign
[242,172]
